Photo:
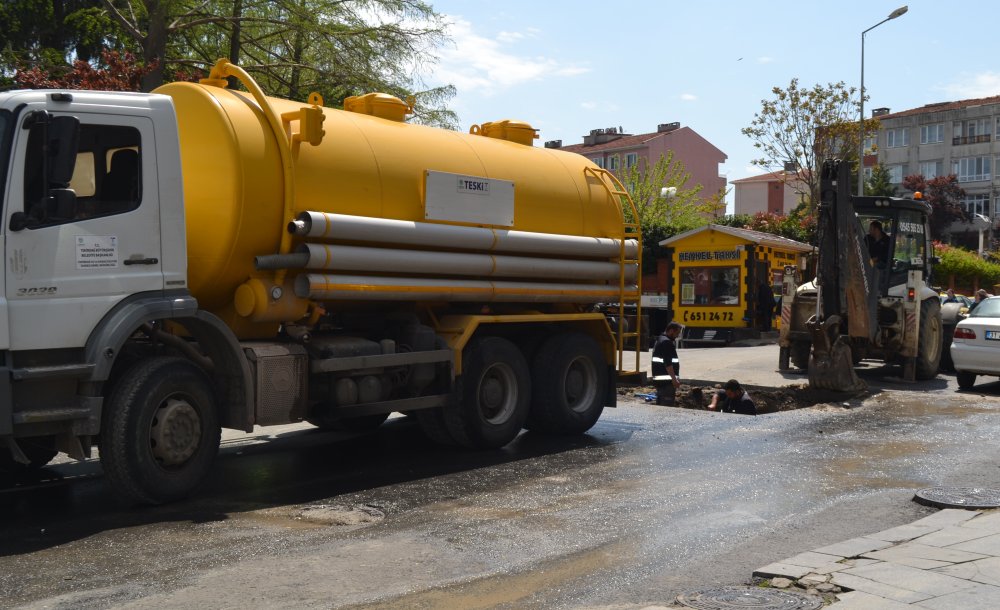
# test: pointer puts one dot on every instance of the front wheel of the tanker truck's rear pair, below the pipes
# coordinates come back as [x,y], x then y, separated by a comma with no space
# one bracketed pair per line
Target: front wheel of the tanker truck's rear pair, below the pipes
[494,395]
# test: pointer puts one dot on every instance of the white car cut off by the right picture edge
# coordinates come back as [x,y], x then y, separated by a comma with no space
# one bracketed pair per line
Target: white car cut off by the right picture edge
[975,347]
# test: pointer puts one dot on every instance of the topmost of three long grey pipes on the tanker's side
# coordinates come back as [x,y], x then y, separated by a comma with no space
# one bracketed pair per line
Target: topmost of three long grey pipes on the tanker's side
[345,227]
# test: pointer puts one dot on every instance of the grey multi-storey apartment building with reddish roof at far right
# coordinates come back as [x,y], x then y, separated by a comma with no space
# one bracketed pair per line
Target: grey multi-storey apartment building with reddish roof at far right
[958,138]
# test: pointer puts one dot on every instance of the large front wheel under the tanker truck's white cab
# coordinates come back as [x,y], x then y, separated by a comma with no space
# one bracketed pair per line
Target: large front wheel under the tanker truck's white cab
[160,431]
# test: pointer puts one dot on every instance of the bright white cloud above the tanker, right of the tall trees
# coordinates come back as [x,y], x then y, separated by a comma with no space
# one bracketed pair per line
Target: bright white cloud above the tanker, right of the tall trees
[477,63]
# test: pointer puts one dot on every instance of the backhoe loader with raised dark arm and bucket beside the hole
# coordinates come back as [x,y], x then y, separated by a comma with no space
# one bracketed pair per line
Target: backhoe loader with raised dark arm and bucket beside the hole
[870,298]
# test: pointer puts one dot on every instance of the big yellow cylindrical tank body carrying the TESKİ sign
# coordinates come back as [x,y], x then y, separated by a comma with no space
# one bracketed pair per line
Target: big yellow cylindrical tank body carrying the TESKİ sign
[364,166]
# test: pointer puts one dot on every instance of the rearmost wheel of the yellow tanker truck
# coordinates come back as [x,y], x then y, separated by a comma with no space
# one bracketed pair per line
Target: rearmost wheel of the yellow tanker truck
[569,382]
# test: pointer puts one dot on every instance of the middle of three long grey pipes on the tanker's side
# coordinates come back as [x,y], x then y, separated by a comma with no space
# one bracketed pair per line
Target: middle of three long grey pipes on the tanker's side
[393,260]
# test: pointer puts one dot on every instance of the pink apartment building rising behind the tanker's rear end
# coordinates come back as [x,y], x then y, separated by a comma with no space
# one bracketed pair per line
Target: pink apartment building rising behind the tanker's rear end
[615,150]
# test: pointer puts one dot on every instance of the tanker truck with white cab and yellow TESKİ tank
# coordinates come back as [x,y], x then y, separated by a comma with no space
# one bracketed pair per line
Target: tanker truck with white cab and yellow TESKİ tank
[202,257]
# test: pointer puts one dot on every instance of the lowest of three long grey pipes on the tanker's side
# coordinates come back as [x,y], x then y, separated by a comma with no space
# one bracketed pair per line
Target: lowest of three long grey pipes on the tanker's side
[357,288]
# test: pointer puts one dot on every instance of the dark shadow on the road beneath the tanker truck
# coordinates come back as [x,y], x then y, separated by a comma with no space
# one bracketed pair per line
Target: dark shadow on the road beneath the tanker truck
[72,501]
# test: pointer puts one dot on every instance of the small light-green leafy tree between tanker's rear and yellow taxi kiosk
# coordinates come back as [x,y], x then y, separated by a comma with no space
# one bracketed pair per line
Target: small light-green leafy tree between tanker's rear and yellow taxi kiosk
[664,216]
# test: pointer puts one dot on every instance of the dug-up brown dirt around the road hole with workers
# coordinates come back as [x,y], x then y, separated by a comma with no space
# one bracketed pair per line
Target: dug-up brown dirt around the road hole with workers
[767,399]
